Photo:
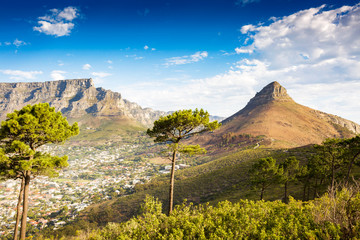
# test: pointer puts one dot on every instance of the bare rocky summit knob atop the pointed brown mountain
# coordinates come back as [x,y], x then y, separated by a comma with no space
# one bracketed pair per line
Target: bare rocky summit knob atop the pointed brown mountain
[271,92]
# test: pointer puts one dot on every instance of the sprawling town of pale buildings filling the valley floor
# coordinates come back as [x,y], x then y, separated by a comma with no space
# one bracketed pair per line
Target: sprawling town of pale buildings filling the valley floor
[94,174]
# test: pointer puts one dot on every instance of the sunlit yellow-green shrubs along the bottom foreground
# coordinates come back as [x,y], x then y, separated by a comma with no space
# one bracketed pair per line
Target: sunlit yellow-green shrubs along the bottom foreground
[336,215]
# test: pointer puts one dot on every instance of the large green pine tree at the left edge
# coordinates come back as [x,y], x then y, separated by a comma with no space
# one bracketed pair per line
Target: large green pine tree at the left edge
[21,134]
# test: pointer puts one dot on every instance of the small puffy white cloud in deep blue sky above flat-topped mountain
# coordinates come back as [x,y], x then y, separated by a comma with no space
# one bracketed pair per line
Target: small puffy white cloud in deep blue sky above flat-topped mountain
[59,23]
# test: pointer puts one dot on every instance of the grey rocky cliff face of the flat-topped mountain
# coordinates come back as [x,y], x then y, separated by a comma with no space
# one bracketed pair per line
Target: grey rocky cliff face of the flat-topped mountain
[74,98]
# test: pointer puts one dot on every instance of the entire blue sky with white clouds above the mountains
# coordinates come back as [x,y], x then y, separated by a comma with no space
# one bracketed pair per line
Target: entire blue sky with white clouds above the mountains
[171,54]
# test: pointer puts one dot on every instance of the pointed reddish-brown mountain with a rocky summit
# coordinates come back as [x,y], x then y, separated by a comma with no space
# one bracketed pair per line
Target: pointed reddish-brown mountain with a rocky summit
[284,123]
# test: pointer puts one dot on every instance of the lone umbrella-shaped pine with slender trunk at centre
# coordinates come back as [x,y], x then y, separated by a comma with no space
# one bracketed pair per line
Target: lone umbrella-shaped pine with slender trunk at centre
[174,128]
